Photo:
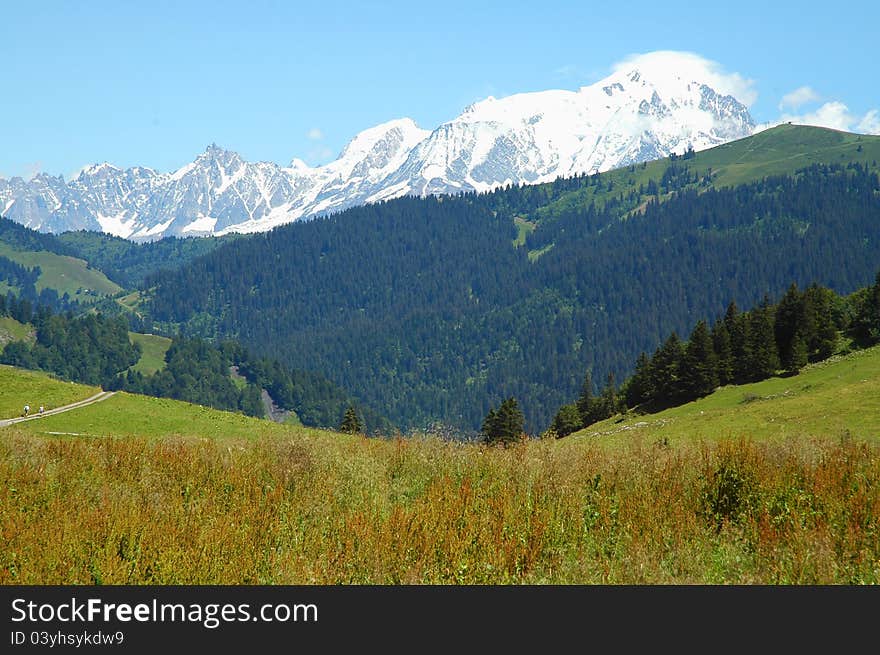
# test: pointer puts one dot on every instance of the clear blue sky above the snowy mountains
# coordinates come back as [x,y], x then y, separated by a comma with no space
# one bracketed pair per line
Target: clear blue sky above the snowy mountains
[153,83]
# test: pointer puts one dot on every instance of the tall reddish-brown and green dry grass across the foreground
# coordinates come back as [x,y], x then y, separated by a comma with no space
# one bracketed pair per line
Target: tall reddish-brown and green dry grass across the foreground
[351,511]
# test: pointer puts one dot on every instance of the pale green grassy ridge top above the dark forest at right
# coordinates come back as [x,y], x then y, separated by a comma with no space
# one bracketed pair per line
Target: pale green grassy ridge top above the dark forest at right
[779,150]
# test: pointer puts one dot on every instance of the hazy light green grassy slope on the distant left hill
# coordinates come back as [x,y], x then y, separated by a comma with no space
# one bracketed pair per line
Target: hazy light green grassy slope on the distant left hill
[63,273]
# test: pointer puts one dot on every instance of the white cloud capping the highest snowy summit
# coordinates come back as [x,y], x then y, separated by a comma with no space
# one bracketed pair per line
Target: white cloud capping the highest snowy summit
[695,67]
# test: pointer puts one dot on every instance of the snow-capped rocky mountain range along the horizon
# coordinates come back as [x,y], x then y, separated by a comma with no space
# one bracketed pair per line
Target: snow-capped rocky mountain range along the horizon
[640,112]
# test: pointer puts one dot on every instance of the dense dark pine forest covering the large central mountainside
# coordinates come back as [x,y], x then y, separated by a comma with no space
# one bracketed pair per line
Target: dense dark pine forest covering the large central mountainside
[428,310]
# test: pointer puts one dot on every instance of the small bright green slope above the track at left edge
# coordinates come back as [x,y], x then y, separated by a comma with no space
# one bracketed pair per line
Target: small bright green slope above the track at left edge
[18,387]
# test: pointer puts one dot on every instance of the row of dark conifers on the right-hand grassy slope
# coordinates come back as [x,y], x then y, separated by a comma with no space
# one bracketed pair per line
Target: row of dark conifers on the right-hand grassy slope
[741,347]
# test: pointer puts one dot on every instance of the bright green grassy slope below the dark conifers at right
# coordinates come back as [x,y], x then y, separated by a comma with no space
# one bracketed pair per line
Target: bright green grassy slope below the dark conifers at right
[831,398]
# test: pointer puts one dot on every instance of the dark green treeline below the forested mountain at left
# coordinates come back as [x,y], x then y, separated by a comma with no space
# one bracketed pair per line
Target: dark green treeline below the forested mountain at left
[96,349]
